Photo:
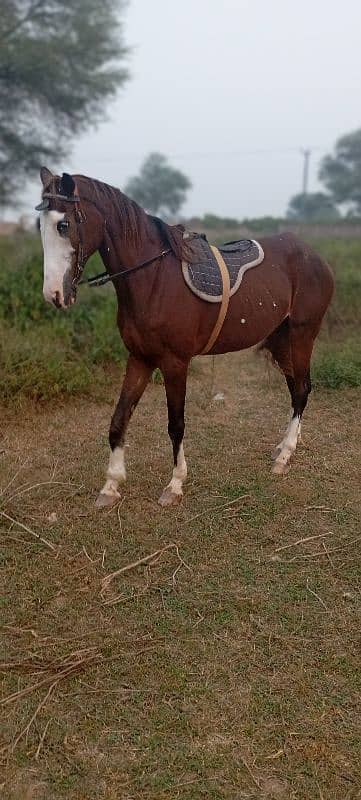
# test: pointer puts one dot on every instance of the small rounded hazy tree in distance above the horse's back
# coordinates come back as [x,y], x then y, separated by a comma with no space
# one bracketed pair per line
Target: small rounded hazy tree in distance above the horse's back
[159,188]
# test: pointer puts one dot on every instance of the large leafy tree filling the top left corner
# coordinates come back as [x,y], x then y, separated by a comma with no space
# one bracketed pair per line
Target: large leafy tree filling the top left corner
[59,62]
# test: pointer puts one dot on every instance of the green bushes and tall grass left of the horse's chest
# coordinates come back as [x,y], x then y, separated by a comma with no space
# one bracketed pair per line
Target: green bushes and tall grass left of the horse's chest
[44,353]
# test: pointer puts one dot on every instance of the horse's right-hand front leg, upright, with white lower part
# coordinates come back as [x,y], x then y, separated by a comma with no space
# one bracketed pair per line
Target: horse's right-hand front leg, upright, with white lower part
[175,378]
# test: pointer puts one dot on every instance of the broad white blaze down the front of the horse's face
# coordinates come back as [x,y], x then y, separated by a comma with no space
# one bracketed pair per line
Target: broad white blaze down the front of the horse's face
[58,254]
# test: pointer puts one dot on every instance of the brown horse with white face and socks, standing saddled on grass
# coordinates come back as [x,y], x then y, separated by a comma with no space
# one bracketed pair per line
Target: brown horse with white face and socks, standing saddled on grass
[281,305]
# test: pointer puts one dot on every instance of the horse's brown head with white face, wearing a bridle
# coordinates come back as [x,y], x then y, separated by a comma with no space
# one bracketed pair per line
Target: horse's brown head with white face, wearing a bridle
[70,234]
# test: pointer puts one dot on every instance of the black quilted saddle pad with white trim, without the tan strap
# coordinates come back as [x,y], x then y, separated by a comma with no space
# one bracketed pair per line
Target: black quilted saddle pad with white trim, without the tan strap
[202,273]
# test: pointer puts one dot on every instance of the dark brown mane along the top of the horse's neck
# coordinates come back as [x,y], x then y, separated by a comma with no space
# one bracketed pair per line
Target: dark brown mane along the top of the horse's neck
[126,218]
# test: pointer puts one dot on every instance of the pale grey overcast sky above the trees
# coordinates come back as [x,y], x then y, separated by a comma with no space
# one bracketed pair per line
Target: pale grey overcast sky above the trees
[231,91]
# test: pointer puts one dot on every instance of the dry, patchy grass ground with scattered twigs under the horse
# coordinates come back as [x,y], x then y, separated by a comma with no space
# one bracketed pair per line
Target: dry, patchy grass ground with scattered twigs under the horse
[227,665]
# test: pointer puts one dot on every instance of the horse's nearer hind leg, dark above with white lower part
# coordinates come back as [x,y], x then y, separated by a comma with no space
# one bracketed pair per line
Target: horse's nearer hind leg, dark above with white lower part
[297,373]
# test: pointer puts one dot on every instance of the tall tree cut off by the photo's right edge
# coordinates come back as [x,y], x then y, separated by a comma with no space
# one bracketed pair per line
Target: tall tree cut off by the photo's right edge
[341,172]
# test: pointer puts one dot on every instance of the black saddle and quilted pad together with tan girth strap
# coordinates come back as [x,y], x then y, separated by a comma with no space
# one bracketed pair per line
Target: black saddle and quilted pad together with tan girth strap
[215,274]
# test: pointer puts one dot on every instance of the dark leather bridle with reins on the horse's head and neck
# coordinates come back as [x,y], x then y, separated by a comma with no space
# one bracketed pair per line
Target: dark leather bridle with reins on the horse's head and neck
[80,218]
